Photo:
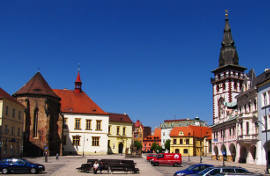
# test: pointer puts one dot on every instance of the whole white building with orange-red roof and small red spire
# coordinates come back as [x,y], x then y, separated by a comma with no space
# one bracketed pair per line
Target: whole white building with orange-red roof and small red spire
[85,129]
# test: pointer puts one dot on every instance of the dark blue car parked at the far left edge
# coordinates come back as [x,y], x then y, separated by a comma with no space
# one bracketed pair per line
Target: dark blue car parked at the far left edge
[15,165]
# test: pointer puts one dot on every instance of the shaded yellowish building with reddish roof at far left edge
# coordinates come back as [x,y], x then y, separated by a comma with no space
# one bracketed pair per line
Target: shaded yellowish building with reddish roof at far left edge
[11,125]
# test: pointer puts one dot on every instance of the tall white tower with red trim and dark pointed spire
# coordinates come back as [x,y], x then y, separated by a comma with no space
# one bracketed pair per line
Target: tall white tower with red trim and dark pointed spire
[228,77]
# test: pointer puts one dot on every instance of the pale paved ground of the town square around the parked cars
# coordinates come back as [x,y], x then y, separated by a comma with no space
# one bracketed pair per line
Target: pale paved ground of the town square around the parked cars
[66,166]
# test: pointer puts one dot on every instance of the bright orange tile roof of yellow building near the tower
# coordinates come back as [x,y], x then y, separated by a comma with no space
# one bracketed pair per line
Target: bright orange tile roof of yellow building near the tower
[193,131]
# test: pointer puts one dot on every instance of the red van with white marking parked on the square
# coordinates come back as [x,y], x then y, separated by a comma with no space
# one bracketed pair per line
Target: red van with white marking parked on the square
[174,159]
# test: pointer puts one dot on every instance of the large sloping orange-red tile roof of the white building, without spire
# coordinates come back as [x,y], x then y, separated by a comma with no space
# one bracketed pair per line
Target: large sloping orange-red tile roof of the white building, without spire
[77,102]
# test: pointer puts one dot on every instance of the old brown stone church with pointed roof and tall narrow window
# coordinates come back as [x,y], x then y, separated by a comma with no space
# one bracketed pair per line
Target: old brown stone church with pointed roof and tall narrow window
[43,122]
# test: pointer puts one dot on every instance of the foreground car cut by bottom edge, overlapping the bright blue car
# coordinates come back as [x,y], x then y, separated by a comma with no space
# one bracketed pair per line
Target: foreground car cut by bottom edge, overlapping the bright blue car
[222,169]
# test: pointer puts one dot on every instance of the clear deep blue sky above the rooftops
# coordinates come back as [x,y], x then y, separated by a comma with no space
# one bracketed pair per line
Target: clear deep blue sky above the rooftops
[150,59]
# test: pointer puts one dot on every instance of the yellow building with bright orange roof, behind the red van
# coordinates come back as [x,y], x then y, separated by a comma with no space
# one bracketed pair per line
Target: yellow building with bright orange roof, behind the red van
[190,140]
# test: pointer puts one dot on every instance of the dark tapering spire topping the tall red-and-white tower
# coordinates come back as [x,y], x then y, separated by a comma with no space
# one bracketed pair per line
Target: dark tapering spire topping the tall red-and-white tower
[228,53]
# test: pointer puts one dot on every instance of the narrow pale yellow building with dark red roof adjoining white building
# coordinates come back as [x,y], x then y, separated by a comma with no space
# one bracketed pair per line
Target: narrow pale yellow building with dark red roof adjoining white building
[119,133]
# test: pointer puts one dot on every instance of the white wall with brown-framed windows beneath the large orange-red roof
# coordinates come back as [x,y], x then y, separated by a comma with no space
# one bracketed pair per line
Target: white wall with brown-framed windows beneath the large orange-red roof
[85,134]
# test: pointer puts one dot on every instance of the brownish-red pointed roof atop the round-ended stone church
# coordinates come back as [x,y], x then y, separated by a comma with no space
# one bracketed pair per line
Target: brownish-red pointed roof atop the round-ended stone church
[37,85]
